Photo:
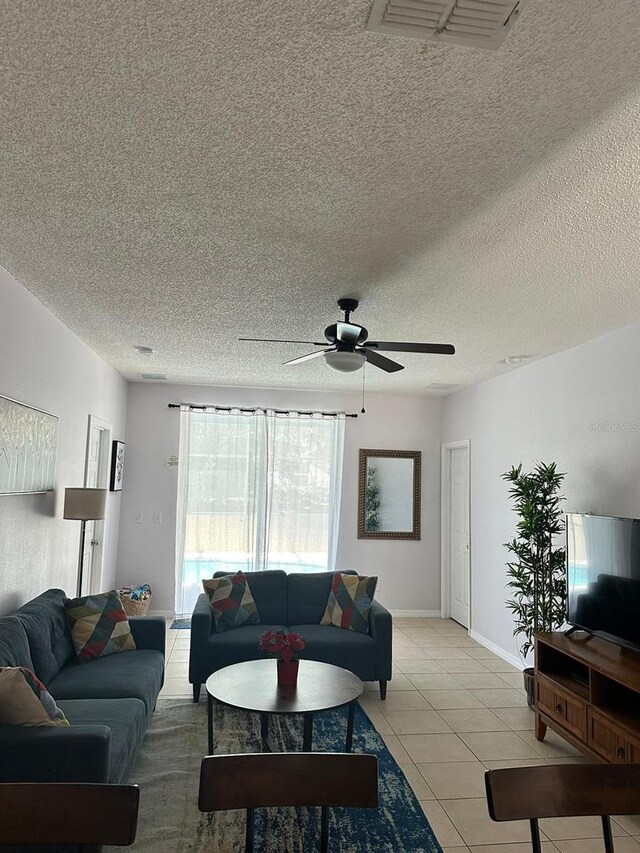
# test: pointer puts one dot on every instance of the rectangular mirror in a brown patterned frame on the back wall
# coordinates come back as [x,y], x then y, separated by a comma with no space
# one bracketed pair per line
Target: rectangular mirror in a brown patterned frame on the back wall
[389,494]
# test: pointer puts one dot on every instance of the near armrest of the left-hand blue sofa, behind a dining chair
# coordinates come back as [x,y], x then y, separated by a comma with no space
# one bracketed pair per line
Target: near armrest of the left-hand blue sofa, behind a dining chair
[55,753]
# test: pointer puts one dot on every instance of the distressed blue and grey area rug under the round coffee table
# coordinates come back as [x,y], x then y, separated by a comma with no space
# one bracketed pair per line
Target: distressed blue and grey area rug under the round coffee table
[168,775]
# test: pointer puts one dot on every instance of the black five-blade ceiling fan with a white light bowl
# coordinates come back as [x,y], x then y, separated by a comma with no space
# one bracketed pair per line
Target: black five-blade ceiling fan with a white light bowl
[350,348]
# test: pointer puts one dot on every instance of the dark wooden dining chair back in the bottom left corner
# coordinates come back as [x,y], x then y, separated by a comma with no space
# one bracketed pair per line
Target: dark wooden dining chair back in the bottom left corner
[86,816]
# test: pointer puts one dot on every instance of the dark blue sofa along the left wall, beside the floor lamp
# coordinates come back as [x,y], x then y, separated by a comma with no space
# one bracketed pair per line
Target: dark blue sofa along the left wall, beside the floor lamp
[108,701]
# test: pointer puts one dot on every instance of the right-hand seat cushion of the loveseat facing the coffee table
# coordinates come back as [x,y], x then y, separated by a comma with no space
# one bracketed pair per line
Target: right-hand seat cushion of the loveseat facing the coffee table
[348,649]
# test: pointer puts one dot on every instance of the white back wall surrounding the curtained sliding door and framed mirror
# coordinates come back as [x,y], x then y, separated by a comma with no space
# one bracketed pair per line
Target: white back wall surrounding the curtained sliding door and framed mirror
[409,571]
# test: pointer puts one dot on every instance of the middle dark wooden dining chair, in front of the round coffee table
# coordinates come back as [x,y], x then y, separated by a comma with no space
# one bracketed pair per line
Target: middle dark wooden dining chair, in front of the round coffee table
[265,780]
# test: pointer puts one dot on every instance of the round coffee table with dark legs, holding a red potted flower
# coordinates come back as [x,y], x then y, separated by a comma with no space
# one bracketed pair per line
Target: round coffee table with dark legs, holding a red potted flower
[253,686]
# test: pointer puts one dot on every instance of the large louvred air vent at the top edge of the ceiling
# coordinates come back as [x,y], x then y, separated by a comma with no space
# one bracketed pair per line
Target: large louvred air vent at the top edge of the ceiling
[475,23]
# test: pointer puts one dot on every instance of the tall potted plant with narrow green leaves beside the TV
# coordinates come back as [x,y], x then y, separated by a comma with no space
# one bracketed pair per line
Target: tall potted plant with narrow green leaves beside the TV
[537,571]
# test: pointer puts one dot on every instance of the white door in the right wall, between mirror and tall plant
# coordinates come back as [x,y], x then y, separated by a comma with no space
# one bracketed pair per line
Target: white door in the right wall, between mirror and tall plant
[460,564]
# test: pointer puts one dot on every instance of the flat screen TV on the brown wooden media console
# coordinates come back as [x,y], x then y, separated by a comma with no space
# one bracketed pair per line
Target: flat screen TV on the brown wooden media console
[603,577]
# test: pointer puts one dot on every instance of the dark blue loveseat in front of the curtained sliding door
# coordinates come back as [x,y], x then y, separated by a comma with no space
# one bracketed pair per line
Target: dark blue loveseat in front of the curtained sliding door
[295,602]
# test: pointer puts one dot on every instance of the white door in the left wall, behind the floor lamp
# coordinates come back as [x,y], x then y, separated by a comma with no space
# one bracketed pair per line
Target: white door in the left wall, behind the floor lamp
[96,477]
